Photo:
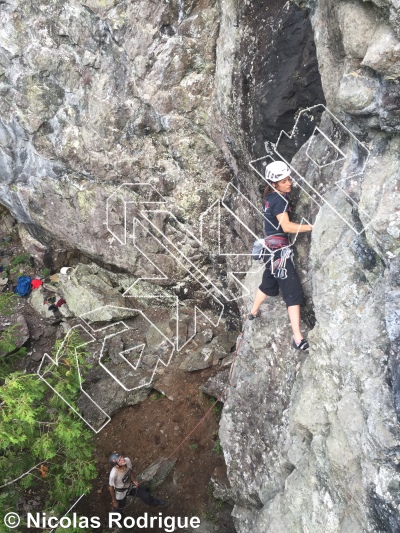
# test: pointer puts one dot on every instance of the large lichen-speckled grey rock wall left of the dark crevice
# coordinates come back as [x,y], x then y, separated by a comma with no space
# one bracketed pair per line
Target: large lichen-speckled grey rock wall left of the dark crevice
[89,104]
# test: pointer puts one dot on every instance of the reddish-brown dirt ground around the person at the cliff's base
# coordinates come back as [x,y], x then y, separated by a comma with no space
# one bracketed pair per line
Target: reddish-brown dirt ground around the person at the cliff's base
[157,428]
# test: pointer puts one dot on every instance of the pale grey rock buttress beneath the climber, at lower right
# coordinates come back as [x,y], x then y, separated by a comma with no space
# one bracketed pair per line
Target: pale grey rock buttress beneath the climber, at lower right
[311,440]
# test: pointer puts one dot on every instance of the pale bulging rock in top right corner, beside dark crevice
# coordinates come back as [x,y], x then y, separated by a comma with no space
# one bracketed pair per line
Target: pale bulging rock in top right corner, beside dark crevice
[358,56]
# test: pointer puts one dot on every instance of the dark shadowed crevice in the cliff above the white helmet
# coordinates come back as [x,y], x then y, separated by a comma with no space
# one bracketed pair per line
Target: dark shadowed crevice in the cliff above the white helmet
[279,71]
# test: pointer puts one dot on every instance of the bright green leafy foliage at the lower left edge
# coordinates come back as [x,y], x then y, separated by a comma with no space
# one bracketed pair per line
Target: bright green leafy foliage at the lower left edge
[36,426]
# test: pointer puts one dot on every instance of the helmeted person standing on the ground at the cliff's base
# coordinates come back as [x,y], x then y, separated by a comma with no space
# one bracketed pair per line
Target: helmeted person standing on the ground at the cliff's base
[122,483]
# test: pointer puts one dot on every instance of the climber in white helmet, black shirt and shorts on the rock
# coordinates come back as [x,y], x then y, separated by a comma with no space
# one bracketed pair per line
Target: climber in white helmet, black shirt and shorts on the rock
[279,271]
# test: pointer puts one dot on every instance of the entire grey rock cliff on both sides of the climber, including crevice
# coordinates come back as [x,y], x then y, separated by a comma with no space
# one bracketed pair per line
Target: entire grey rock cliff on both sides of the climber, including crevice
[179,96]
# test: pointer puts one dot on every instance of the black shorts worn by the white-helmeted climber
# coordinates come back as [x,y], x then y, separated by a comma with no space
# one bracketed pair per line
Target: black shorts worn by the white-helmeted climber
[291,290]
